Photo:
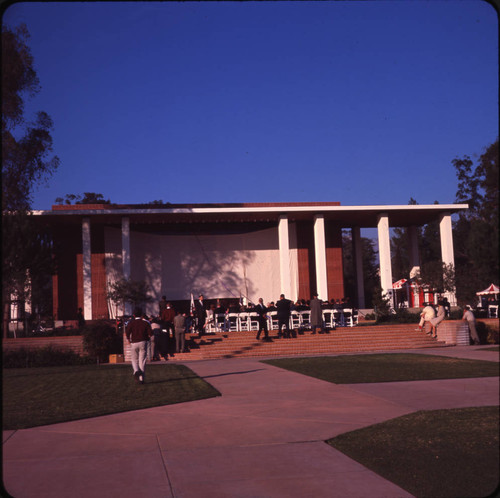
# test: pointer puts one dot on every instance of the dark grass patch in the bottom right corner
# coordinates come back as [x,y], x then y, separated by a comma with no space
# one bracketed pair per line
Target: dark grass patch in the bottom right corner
[442,453]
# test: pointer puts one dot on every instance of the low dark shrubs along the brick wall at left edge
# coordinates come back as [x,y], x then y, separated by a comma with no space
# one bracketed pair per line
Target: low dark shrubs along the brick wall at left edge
[42,357]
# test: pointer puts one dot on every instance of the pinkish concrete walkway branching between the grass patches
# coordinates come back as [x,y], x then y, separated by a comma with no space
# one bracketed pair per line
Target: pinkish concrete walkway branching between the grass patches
[264,437]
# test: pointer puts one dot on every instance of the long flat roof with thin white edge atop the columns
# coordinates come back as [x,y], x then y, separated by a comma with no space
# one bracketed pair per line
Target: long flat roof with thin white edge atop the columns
[346,216]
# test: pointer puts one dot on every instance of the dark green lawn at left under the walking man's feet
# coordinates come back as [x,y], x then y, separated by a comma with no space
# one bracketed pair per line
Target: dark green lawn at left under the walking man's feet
[41,396]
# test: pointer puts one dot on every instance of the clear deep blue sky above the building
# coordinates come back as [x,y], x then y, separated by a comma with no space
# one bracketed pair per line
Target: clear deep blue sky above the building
[353,101]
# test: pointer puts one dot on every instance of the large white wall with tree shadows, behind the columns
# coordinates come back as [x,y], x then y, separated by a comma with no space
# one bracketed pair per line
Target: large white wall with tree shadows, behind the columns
[216,265]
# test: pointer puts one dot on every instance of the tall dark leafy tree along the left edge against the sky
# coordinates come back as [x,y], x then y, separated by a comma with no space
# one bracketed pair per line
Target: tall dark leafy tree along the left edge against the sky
[26,163]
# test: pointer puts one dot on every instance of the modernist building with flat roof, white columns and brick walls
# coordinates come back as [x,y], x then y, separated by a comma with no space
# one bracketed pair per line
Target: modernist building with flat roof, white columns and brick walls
[223,250]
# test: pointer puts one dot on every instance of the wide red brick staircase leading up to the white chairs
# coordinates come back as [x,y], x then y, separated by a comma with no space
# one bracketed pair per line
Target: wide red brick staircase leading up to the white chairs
[341,340]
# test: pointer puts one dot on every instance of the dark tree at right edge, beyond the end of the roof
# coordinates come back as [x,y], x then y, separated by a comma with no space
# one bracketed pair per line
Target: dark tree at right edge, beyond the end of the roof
[476,230]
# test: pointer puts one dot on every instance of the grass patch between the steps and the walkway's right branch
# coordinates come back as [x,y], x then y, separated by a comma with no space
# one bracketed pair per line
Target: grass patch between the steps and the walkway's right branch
[356,369]
